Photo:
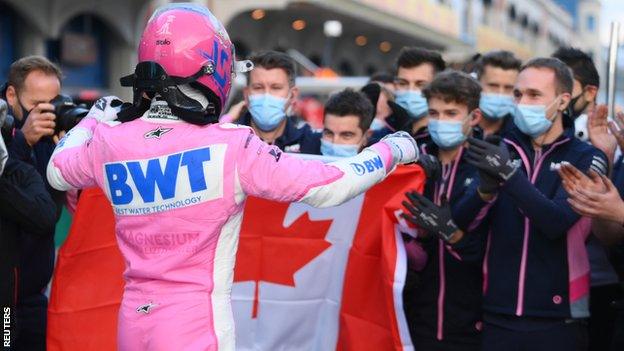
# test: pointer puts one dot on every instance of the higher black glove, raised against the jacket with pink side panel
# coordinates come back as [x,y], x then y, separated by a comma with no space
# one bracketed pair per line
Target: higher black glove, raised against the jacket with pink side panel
[492,157]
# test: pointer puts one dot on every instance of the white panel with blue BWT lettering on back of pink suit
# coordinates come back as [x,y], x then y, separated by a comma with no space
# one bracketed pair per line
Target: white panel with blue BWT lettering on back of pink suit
[169,182]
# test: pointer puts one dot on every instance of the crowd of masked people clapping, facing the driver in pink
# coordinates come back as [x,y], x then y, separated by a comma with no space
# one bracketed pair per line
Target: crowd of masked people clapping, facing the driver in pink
[511,151]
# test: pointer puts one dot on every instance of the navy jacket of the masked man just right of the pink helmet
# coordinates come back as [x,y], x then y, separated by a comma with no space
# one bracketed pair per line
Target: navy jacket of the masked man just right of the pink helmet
[296,138]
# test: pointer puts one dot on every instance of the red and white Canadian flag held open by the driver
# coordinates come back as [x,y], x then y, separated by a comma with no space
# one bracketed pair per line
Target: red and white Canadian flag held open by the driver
[305,278]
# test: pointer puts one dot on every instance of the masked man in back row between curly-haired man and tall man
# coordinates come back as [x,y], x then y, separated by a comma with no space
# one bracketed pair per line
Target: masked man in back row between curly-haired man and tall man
[497,72]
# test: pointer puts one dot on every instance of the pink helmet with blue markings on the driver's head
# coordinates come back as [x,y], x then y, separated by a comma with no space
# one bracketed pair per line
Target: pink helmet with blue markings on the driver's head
[185,44]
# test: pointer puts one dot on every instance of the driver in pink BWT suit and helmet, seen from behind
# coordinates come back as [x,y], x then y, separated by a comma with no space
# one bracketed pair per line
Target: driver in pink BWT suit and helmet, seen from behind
[178,183]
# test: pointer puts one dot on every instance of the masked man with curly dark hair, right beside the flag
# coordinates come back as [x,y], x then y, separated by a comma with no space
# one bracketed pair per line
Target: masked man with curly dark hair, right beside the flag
[445,309]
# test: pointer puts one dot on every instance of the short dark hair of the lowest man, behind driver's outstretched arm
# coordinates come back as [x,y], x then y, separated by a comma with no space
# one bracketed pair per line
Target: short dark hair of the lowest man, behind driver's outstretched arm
[350,102]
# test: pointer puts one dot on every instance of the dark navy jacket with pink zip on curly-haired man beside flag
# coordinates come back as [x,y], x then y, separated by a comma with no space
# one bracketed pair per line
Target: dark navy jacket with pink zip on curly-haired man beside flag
[446,304]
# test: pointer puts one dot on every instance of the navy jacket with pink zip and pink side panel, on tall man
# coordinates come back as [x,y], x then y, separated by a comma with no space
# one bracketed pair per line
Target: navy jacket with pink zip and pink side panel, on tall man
[535,240]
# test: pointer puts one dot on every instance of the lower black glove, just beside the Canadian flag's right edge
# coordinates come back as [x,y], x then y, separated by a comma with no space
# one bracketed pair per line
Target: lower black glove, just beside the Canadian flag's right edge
[429,216]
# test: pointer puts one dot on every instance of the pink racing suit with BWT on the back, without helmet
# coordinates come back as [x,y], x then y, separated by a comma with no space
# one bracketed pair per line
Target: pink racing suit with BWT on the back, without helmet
[178,192]
